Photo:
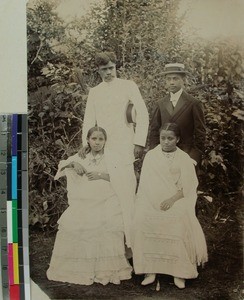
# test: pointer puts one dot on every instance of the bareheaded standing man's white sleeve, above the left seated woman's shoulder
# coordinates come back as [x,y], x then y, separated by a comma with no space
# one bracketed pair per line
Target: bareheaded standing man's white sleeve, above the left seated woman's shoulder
[89,116]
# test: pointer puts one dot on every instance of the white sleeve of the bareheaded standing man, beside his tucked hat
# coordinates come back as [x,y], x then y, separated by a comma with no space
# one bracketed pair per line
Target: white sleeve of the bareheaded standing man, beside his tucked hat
[142,118]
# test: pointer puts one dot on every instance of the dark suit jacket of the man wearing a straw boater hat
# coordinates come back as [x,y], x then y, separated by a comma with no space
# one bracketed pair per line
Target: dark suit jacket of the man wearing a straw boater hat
[188,115]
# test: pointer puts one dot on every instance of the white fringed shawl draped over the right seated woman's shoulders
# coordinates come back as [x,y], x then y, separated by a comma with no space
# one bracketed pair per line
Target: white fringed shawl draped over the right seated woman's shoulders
[157,185]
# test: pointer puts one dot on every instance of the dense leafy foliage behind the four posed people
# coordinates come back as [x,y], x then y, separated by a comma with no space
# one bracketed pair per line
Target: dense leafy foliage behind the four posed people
[145,35]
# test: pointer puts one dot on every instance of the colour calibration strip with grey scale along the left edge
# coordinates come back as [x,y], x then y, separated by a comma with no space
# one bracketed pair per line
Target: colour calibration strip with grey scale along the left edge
[15,274]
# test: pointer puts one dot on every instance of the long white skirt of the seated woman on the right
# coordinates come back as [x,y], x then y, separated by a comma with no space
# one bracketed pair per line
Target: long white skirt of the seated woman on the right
[168,242]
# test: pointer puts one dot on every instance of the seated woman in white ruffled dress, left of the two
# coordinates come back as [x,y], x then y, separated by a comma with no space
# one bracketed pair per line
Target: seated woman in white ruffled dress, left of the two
[89,245]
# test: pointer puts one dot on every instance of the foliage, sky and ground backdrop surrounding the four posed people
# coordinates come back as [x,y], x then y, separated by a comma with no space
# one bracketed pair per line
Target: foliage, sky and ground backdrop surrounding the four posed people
[207,36]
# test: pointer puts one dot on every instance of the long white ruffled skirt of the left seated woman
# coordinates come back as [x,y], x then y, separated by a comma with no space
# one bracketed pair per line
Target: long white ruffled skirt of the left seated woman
[89,245]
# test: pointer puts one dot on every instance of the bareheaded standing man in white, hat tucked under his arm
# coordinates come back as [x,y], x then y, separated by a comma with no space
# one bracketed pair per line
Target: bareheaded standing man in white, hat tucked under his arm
[106,106]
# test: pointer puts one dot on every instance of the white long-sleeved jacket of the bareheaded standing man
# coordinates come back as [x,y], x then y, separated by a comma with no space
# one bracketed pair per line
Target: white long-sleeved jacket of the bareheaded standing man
[106,105]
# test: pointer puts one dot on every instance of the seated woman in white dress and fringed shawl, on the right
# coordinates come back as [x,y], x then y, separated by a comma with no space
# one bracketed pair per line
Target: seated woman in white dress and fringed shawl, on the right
[168,238]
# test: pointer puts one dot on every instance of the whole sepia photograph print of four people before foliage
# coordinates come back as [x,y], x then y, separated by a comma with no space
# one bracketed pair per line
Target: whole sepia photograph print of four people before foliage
[135,113]
